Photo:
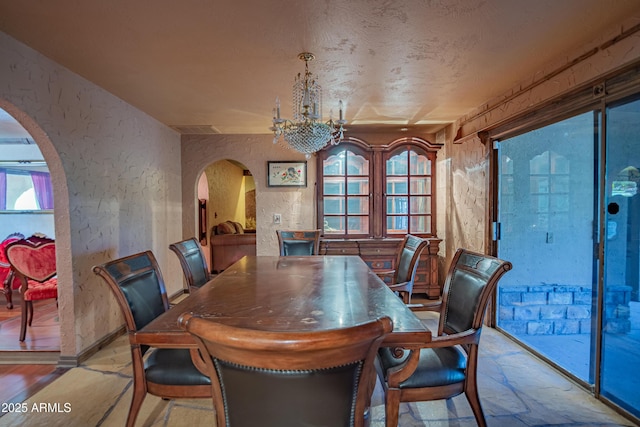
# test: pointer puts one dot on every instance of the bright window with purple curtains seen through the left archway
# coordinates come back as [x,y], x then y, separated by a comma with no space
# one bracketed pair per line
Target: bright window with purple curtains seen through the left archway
[25,187]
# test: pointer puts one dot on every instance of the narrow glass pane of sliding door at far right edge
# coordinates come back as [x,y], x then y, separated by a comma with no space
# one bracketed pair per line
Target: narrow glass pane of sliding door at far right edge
[620,365]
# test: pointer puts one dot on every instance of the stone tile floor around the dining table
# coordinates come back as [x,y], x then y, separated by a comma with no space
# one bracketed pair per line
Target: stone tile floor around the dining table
[516,389]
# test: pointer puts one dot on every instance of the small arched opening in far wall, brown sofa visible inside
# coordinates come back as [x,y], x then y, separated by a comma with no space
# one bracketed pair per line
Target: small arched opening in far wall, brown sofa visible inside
[230,213]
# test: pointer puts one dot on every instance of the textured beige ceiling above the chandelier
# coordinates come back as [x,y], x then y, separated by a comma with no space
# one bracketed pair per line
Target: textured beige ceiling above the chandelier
[221,64]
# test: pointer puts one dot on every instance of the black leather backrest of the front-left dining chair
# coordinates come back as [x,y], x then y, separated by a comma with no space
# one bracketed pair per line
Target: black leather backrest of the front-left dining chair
[137,284]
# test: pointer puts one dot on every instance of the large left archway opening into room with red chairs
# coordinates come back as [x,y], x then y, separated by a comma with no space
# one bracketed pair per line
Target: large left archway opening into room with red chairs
[30,175]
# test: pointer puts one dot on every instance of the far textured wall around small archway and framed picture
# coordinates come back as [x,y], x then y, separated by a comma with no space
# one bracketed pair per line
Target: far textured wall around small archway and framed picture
[296,205]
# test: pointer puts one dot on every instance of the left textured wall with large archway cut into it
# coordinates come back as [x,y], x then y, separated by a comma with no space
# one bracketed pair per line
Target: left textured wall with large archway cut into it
[116,180]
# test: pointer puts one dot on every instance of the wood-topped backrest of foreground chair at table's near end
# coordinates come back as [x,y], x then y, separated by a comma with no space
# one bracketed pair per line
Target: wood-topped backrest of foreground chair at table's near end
[289,378]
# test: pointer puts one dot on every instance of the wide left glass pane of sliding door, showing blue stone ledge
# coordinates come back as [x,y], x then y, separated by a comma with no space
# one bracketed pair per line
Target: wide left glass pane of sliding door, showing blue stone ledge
[546,213]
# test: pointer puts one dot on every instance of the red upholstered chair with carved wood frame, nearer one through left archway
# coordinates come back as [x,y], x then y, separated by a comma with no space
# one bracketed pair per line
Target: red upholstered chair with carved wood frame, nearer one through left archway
[33,261]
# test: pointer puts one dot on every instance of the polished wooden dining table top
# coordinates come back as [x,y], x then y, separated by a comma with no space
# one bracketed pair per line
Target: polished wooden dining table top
[307,293]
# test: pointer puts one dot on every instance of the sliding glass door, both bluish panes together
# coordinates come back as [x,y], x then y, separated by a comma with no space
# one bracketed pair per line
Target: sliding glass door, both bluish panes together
[569,221]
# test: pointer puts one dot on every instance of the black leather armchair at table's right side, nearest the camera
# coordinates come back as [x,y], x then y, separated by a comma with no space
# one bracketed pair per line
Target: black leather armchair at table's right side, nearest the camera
[447,365]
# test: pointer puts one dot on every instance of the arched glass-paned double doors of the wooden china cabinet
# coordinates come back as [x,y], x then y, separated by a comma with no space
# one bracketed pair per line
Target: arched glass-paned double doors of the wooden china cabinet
[377,191]
